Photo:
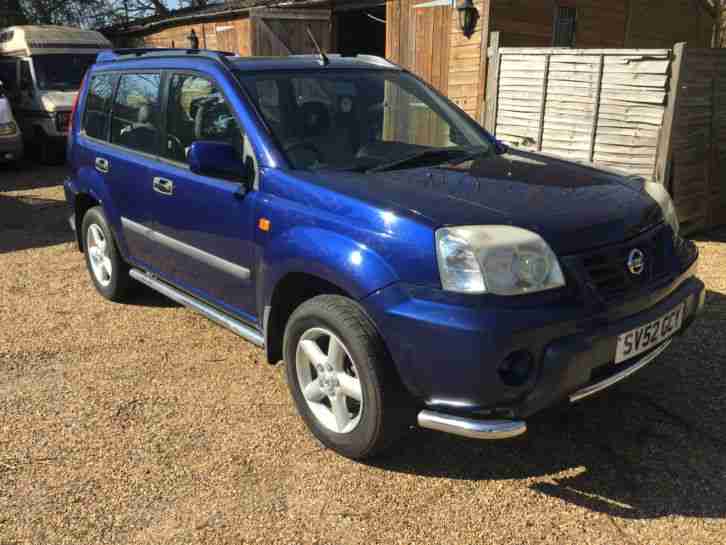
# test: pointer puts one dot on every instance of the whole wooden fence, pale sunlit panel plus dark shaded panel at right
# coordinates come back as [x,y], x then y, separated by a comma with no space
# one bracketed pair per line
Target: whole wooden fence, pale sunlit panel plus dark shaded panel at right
[660,114]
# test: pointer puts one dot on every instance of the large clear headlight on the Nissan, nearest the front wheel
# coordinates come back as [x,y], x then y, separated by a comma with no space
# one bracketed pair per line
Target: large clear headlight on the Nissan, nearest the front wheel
[496,259]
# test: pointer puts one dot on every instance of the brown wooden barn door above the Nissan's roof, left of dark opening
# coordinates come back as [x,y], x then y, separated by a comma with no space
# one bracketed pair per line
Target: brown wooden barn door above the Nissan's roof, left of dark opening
[281,32]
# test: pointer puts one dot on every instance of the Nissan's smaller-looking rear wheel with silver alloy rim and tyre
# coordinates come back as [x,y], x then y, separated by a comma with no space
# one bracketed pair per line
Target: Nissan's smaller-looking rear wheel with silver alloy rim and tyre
[109,272]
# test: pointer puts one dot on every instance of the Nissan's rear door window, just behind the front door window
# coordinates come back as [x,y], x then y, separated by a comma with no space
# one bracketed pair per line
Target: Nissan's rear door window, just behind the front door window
[135,118]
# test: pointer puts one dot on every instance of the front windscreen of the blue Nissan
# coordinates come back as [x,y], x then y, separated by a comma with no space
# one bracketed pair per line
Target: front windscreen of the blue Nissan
[357,119]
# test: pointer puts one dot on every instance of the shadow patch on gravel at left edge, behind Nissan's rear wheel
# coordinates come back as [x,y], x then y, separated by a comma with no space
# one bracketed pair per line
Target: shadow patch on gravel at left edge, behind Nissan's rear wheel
[30,222]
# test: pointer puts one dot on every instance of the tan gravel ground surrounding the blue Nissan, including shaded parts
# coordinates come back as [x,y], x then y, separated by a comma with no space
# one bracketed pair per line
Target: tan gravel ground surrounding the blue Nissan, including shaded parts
[145,423]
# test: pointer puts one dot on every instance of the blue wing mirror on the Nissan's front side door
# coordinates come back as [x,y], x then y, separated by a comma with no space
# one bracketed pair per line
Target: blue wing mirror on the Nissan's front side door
[220,160]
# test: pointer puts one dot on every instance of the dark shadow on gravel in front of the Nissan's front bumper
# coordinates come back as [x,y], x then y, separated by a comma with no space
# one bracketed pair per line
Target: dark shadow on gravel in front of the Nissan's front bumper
[652,446]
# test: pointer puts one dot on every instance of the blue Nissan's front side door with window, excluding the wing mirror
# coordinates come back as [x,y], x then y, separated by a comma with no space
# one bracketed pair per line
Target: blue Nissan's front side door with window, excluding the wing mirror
[204,224]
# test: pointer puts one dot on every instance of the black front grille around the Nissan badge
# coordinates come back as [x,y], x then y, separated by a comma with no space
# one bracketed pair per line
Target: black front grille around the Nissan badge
[606,270]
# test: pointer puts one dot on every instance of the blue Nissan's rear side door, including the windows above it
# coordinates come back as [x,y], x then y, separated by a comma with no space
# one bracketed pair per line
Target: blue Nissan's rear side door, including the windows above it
[121,144]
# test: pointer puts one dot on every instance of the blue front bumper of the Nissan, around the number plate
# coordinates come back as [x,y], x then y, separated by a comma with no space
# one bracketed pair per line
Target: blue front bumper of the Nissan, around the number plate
[448,354]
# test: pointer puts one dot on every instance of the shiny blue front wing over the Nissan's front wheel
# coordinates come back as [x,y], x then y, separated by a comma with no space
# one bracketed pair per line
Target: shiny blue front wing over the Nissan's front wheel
[352,266]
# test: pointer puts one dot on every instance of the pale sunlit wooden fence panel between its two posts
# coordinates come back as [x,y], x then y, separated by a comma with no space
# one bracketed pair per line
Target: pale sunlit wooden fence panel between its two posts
[602,106]
